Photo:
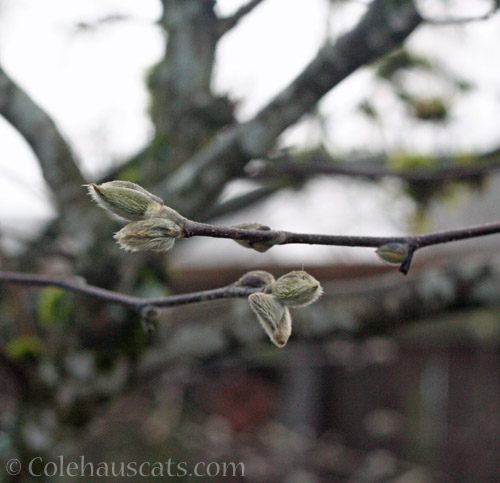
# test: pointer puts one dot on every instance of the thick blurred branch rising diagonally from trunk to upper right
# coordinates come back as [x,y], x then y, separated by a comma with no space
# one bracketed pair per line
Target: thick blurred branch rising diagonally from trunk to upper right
[197,182]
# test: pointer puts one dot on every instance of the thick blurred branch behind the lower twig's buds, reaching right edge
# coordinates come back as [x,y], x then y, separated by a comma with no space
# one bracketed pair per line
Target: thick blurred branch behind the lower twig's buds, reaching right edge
[365,305]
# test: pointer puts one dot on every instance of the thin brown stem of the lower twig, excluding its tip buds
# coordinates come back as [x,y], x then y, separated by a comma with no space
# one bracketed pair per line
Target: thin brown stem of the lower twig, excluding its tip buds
[77,285]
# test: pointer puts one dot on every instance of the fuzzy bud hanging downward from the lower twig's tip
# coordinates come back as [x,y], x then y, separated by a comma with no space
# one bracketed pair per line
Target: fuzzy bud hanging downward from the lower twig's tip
[273,316]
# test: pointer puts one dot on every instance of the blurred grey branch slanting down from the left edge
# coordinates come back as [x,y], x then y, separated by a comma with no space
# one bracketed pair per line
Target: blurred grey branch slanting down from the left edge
[58,164]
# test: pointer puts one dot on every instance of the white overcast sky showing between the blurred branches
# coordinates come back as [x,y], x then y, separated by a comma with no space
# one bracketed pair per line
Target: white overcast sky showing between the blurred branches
[92,83]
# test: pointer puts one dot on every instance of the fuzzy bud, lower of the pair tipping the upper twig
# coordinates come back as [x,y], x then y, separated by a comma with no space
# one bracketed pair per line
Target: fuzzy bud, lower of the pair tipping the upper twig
[156,234]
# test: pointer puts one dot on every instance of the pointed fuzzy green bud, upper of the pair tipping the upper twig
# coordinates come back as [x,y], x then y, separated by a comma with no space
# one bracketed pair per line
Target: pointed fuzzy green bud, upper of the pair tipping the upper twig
[126,200]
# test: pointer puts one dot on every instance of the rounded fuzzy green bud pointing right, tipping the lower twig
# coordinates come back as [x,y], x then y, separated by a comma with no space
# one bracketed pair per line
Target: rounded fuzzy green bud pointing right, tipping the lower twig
[297,289]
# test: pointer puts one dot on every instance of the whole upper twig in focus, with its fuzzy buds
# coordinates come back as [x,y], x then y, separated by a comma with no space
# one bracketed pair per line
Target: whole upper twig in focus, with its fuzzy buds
[156,227]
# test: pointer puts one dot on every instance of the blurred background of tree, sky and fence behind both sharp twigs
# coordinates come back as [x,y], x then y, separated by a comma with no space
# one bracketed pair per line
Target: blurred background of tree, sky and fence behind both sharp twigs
[393,131]
